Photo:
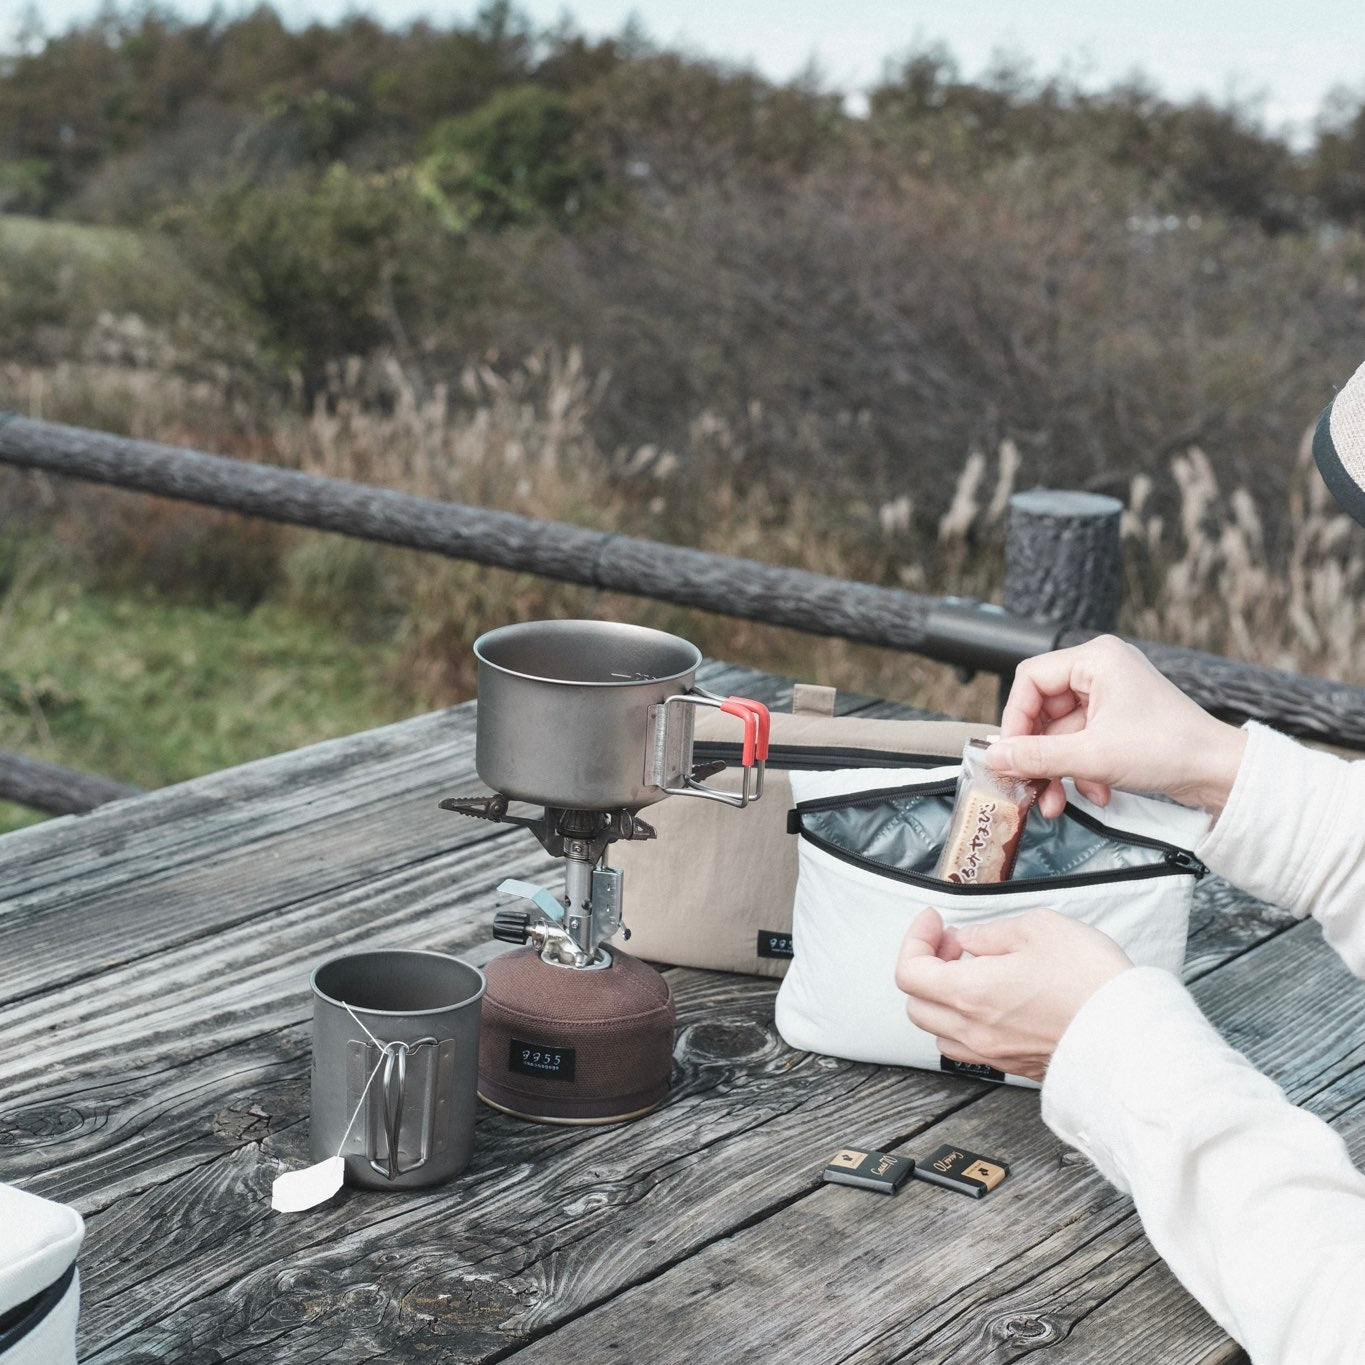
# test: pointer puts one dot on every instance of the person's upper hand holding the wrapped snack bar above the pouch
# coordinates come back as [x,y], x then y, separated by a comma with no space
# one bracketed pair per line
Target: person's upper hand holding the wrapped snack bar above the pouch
[1101,713]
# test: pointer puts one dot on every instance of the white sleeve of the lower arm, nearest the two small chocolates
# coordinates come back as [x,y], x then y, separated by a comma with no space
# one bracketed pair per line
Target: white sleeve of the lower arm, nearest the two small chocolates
[1254,1203]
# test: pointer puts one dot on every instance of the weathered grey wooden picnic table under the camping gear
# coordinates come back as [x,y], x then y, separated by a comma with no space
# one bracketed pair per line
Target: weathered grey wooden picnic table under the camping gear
[155,959]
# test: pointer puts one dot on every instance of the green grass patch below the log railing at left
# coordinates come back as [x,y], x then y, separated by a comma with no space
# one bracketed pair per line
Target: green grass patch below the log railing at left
[152,693]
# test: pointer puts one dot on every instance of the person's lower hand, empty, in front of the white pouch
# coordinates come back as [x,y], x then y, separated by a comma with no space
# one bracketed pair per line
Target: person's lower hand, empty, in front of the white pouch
[1009,1004]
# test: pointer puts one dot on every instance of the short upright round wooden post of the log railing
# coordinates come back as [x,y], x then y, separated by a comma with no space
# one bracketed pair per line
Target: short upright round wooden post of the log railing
[1063,562]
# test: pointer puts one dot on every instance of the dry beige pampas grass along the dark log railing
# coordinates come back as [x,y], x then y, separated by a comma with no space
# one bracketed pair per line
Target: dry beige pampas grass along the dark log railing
[1207,566]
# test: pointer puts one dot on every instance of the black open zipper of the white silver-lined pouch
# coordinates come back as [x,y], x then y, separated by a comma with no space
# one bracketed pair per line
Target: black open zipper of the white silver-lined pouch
[1176,862]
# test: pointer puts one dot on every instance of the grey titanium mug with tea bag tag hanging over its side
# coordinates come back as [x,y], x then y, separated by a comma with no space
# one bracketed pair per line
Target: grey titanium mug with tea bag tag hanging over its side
[412,1034]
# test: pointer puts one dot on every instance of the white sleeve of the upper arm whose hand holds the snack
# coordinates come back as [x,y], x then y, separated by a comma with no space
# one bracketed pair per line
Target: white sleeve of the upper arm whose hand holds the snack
[1292,833]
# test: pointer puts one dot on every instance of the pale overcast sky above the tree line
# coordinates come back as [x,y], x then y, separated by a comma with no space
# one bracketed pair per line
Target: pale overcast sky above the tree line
[1289,53]
